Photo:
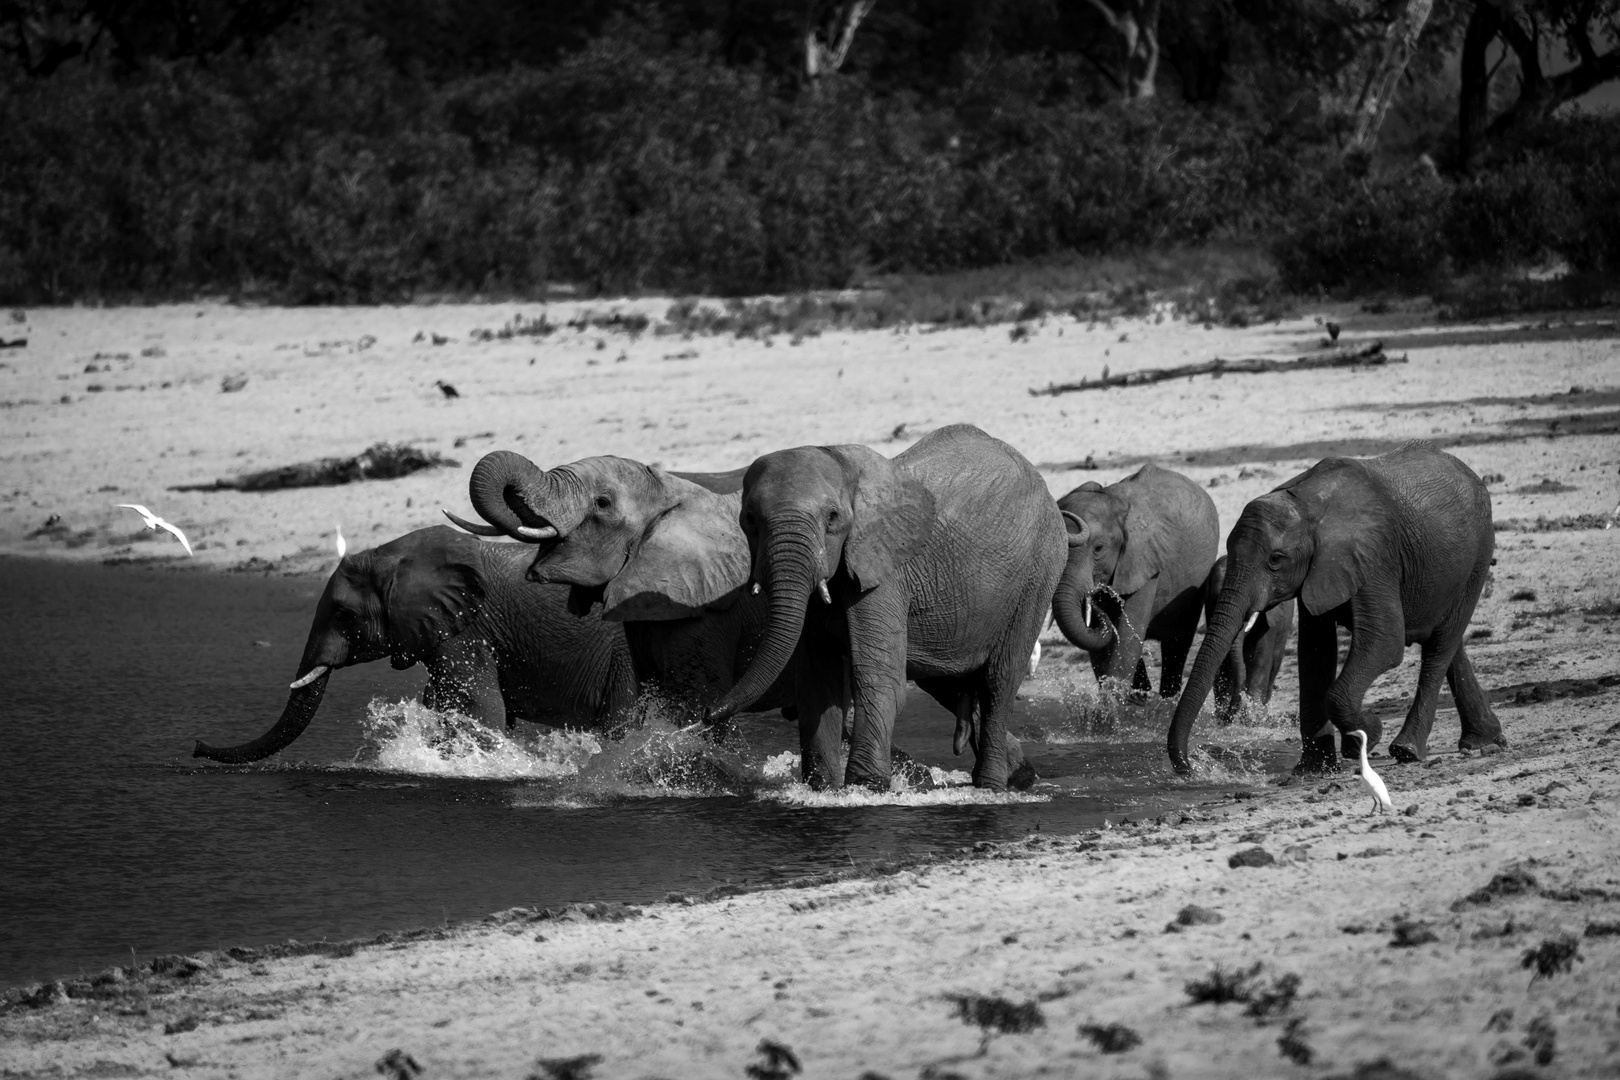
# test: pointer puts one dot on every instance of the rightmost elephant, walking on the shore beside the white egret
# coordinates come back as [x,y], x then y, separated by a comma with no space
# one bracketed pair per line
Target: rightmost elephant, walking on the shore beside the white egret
[1397,551]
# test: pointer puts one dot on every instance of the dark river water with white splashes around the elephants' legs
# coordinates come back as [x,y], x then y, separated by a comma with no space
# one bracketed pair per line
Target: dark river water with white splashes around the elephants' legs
[116,843]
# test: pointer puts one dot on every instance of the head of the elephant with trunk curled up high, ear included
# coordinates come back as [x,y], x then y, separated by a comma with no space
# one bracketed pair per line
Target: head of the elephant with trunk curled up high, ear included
[647,543]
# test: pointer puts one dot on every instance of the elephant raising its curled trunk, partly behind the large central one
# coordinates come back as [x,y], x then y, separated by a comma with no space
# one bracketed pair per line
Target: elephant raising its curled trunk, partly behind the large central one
[662,553]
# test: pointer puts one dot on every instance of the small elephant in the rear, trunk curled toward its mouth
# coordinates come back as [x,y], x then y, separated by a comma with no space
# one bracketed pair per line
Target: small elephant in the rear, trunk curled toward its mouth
[1140,555]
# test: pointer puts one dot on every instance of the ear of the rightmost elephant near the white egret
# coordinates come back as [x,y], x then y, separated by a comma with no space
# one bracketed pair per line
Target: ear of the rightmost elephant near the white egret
[1352,532]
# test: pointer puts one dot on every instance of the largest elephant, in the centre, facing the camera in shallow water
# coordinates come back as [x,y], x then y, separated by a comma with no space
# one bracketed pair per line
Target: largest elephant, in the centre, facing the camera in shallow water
[937,566]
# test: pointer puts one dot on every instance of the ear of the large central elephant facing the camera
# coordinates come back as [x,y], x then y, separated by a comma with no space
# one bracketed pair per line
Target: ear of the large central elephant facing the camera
[893,516]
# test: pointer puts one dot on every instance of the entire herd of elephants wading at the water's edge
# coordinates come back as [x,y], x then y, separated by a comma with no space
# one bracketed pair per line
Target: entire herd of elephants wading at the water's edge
[821,580]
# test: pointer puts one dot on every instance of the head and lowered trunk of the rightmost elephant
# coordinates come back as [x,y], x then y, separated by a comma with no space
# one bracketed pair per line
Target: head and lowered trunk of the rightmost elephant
[1316,538]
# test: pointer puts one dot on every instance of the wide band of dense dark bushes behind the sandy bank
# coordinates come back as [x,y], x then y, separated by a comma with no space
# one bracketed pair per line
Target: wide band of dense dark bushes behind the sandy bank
[313,171]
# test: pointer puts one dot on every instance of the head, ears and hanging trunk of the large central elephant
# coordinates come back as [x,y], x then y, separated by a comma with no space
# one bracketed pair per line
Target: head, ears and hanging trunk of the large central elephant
[812,514]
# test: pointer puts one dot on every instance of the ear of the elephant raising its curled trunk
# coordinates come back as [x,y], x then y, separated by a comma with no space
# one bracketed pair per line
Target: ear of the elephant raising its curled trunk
[691,558]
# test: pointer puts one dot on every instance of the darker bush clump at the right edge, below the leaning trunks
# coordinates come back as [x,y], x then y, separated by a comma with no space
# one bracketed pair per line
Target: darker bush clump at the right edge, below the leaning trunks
[1553,195]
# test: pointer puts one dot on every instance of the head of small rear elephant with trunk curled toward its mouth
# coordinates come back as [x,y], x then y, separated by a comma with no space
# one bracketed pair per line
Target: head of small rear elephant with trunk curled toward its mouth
[1109,545]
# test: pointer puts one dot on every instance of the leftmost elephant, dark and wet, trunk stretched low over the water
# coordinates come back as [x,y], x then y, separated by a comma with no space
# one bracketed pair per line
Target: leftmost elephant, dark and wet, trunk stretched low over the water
[495,647]
